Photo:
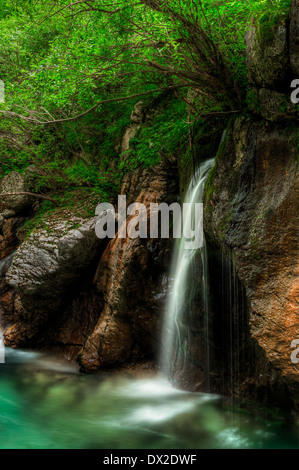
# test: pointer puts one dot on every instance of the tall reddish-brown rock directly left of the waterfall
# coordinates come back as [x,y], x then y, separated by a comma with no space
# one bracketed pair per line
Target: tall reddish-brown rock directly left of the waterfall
[132,279]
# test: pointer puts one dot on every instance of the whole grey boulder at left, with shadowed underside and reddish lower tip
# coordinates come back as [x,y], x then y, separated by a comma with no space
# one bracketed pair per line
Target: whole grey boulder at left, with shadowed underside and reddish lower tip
[46,271]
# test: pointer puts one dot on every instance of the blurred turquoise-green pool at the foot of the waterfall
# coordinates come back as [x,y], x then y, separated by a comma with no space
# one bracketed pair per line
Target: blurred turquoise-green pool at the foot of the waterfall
[46,404]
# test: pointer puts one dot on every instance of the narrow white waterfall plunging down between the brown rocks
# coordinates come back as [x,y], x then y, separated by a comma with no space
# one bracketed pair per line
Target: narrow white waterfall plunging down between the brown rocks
[187,306]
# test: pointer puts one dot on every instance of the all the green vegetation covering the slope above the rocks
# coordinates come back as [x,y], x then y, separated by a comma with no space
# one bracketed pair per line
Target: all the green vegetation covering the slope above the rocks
[74,70]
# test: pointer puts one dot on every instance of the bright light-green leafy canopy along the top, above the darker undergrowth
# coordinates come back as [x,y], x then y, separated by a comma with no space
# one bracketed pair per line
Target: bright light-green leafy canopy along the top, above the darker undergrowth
[63,63]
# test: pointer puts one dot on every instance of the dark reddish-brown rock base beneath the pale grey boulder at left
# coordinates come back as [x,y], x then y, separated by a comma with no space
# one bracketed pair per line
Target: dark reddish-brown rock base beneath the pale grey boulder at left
[63,334]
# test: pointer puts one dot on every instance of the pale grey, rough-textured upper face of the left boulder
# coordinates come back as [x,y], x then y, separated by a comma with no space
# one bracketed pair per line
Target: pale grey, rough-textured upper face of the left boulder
[49,260]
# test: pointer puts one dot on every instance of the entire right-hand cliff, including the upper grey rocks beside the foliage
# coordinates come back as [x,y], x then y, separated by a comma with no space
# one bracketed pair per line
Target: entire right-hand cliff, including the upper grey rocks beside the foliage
[251,219]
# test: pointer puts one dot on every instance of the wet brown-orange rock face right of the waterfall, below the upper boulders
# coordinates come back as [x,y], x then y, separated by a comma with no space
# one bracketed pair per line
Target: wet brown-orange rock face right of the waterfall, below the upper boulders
[251,214]
